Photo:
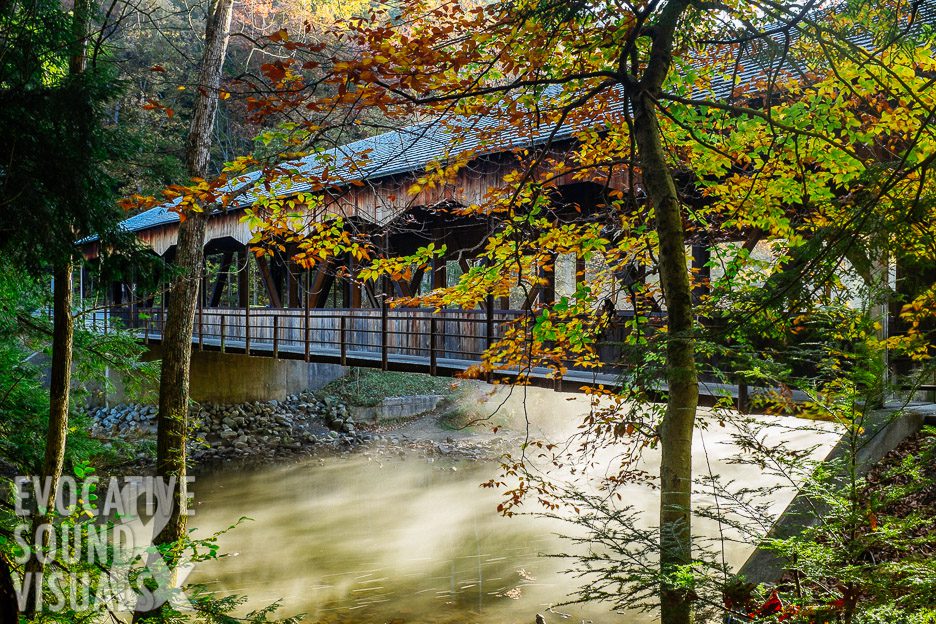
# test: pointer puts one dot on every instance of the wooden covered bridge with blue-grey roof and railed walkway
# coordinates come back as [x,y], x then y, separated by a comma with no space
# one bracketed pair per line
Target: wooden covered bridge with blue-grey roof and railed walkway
[271,307]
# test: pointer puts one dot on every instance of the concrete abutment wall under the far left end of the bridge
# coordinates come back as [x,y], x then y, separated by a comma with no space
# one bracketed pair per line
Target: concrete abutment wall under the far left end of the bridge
[230,378]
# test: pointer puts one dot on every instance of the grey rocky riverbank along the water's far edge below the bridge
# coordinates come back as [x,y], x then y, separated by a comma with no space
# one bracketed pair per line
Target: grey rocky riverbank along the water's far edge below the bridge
[302,425]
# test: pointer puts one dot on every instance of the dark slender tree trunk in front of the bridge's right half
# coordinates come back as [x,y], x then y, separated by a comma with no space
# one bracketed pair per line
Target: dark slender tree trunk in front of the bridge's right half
[681,375]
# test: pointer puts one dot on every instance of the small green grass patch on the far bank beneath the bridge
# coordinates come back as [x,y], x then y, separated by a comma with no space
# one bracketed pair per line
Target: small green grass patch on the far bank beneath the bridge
[367,388]
